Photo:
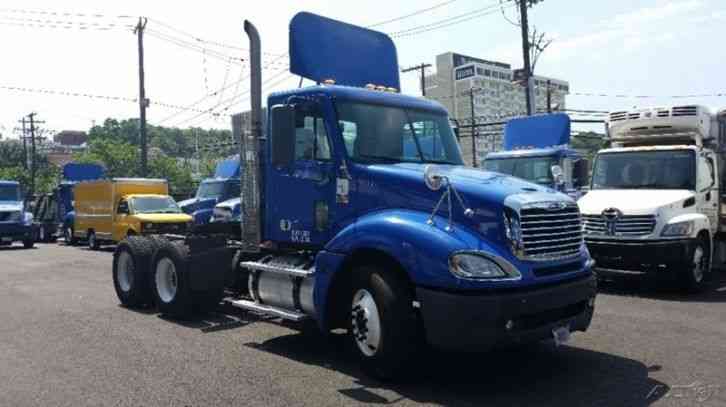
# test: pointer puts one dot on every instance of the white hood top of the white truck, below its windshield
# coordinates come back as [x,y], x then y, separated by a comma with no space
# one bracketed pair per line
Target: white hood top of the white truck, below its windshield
[631,201]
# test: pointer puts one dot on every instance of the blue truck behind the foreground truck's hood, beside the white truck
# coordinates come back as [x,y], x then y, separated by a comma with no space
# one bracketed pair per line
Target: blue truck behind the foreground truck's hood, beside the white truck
[536,148]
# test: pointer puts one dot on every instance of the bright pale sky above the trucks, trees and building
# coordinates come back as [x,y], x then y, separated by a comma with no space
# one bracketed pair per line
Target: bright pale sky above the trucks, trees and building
[648,47]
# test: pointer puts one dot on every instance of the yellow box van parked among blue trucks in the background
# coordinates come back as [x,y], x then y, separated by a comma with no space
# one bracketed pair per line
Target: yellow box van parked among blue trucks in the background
[109,210]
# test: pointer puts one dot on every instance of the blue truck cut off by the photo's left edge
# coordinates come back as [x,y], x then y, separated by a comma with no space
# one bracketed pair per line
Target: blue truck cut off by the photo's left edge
[16,222]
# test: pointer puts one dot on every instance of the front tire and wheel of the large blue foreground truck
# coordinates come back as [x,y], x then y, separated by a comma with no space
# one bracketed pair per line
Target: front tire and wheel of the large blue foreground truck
[383,327]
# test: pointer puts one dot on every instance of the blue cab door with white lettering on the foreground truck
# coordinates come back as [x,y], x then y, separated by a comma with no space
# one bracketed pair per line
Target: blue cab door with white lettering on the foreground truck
[300,189]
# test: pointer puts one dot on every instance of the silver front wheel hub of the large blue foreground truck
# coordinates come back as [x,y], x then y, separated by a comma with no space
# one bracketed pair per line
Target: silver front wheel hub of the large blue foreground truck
[366,322]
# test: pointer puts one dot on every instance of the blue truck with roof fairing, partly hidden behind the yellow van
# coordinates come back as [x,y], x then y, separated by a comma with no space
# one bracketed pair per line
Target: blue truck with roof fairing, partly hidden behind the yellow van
[53,213]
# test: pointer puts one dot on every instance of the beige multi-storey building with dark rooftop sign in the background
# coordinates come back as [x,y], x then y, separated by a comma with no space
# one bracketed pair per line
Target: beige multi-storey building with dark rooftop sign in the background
[496,96]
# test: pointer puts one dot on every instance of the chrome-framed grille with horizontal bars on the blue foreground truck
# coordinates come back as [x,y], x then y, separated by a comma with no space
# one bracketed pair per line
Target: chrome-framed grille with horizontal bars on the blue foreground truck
[550,233]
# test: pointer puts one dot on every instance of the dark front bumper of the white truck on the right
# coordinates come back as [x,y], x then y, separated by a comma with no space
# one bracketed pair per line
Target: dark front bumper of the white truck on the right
[628,257]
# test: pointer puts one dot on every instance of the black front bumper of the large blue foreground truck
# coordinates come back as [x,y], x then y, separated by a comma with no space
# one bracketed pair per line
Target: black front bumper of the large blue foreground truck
[477,322]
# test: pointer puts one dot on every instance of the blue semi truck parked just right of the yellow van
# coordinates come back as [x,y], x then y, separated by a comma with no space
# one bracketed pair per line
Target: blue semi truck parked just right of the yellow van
[223,186]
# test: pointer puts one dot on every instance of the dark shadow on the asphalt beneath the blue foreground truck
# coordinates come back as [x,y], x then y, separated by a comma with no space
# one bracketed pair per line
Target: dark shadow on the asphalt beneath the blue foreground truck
[537,375]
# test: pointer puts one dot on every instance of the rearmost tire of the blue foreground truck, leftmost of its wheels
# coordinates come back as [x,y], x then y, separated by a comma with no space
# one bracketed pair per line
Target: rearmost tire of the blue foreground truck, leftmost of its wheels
[132,271]
